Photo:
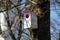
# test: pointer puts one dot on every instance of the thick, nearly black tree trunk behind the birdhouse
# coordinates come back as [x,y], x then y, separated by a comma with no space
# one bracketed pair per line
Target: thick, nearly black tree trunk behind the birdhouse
[43,31]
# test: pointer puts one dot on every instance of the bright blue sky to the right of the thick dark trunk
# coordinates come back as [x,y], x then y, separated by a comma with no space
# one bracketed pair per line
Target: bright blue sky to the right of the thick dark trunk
[55,19]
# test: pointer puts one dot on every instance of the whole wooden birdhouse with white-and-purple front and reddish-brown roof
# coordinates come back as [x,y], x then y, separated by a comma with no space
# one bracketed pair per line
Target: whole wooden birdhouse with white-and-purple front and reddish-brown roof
[30,20]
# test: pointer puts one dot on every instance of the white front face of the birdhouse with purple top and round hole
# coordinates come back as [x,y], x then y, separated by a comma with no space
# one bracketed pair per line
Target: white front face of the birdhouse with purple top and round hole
[27,20]
